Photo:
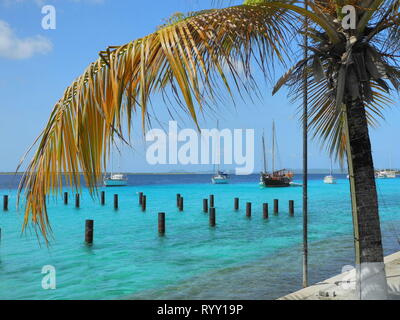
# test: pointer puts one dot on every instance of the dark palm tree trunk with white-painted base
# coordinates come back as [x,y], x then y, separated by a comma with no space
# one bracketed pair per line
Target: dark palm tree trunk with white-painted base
[371,277]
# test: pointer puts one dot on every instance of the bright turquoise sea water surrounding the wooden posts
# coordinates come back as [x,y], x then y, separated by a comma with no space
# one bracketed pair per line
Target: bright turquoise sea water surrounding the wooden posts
[240,259]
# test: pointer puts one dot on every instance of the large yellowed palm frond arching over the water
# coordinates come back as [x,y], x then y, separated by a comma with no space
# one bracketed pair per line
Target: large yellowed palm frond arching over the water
[188,59]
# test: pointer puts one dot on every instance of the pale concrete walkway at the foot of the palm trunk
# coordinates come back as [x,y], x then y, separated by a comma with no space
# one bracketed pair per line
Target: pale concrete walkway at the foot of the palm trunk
[342,286]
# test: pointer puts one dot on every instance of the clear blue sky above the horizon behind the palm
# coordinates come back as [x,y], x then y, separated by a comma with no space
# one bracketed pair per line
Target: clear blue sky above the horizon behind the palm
[37,65]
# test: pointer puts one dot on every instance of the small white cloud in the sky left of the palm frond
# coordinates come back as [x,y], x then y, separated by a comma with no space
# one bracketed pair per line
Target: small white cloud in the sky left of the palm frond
[12,47]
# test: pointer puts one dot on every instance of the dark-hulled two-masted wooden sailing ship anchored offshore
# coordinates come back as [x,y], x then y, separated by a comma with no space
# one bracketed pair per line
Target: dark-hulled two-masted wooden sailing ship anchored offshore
[277,178]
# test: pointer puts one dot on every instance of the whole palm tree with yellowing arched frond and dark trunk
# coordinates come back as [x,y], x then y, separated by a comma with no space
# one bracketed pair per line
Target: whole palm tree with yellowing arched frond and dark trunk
[350,73]
